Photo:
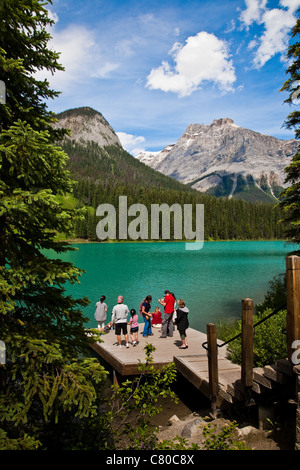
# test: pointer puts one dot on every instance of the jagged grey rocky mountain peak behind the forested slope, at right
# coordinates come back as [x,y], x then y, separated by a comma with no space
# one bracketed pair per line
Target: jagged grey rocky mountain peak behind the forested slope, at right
[224,159]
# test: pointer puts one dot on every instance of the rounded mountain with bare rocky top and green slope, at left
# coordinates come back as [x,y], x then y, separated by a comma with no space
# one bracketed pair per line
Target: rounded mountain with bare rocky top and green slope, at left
[96,154]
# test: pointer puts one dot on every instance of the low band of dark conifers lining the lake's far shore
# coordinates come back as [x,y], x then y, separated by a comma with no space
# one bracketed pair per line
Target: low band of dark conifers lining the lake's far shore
[225,219]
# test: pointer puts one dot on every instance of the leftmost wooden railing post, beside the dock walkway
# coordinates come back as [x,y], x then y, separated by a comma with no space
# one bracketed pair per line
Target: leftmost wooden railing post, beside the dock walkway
[213,366]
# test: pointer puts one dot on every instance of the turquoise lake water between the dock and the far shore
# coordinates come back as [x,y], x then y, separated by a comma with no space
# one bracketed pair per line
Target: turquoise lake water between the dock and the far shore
[212,281]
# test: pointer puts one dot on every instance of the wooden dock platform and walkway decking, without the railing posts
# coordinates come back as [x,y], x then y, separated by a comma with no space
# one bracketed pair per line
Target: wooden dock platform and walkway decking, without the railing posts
[191,363]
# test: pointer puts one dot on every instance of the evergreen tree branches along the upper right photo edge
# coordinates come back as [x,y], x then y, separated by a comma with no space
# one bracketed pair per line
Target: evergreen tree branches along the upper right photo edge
[290,198]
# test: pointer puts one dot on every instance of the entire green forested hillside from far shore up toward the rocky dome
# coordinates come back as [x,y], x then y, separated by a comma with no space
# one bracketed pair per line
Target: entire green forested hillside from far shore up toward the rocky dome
[105,173]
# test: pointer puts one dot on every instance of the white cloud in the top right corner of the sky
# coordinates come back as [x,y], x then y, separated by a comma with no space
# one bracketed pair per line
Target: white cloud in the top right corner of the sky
[277,23]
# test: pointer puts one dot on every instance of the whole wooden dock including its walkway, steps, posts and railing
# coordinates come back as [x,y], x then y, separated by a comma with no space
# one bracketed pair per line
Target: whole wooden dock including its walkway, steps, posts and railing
[207,368]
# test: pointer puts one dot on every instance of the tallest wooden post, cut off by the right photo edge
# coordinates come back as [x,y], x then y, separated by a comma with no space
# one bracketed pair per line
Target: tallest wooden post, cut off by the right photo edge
[293,302]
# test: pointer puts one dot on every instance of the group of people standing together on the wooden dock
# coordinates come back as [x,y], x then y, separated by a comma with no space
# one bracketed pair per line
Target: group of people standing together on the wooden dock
[175,313]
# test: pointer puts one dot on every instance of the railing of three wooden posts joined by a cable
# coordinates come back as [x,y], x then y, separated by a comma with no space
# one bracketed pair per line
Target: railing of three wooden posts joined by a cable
[248,326]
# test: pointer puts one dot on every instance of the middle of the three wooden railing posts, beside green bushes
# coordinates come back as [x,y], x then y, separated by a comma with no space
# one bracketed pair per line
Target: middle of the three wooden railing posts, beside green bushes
[247,342]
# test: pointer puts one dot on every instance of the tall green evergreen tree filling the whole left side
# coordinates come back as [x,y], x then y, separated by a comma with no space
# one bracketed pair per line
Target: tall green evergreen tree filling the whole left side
[43,384]
